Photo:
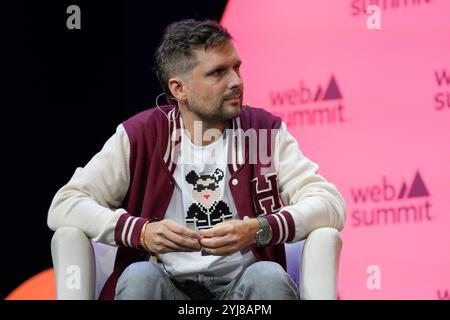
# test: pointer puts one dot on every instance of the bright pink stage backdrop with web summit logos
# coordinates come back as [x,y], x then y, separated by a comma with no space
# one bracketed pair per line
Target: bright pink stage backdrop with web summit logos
[372,108]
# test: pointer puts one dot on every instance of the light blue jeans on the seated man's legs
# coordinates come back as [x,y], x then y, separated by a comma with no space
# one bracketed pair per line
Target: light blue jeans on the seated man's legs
[262,280]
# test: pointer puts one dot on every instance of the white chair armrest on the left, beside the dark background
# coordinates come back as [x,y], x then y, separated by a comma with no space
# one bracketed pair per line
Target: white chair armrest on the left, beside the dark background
[74,264]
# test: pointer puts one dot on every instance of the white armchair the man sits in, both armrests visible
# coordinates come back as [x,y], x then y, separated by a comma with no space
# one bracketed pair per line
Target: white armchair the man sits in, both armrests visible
[312,263]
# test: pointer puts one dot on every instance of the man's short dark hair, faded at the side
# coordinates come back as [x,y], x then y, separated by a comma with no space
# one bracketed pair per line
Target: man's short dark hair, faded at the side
[174,54]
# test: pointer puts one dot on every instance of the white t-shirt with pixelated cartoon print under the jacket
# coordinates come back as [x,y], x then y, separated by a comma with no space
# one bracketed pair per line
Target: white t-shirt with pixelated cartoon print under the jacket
[200,200]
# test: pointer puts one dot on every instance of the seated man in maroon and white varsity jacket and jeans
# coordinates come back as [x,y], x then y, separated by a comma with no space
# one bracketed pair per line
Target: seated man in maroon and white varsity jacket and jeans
[199,185]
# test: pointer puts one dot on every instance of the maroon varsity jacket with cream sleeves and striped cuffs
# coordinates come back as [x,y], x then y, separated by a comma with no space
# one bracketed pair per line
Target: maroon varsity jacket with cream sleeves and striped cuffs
[130,181]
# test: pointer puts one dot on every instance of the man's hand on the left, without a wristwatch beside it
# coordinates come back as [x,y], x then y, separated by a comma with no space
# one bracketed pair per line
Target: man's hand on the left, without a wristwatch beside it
[168,236]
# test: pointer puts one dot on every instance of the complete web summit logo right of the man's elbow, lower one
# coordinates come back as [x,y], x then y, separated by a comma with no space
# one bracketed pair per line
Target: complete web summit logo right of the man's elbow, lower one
[386,205]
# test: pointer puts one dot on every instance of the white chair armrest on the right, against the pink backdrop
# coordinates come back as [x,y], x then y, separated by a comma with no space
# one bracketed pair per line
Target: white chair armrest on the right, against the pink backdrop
[320,264]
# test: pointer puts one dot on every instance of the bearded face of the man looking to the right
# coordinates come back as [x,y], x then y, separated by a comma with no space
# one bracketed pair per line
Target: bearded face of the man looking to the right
[214,87]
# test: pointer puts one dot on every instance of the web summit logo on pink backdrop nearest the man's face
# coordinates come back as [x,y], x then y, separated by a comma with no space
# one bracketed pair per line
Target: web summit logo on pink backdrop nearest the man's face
[303,106]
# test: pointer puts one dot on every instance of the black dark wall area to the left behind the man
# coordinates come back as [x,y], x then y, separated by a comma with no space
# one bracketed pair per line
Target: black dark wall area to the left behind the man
[73,88]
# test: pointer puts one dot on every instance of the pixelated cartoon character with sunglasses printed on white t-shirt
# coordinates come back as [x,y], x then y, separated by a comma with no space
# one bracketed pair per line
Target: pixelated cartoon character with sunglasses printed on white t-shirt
[208,210]
